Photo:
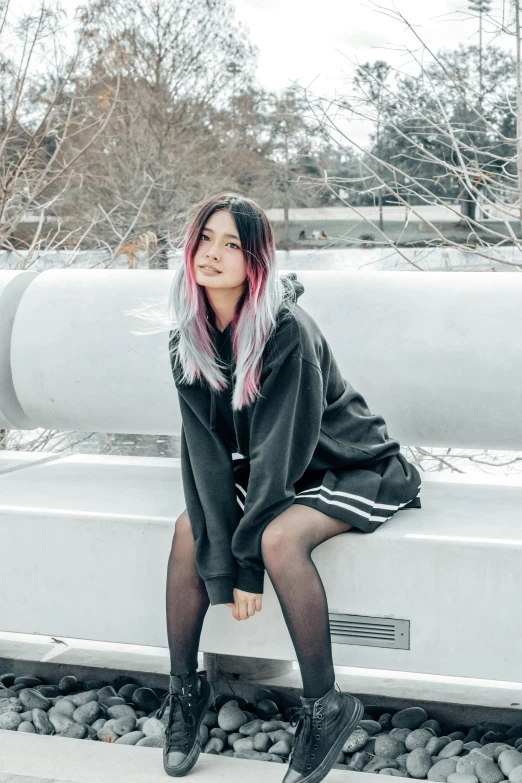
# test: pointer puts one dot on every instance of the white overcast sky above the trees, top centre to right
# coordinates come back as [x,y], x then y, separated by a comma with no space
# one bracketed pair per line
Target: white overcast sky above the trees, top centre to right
[316,41]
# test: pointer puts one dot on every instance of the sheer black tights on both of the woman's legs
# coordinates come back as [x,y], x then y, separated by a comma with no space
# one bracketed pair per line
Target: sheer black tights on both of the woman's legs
[286,553]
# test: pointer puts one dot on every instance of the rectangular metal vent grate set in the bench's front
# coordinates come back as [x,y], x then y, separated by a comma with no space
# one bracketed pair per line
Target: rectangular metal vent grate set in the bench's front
[369,631]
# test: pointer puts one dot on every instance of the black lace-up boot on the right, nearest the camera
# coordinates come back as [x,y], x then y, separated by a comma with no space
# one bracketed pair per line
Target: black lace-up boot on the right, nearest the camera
[323,726]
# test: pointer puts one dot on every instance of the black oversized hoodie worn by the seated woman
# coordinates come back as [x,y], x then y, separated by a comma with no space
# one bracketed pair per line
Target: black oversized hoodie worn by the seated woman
[307,417]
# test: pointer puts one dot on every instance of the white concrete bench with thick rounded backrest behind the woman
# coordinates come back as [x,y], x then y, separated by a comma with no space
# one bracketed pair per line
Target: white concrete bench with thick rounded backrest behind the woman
[86,539]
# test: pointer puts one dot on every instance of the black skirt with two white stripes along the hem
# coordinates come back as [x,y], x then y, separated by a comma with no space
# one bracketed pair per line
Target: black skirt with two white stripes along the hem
[362,497]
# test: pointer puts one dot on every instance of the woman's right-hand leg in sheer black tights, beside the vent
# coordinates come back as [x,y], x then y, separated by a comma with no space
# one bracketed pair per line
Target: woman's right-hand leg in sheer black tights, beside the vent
[286,544]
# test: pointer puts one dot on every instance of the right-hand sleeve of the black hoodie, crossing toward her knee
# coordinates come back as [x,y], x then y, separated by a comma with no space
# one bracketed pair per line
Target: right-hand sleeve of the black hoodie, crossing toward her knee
[284,432]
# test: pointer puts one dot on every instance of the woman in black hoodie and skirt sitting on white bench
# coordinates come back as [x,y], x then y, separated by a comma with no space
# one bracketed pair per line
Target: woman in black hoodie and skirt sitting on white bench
[256,377]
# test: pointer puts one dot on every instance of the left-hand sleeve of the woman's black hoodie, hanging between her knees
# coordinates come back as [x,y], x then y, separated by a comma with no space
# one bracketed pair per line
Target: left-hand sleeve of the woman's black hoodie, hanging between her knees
[210,496]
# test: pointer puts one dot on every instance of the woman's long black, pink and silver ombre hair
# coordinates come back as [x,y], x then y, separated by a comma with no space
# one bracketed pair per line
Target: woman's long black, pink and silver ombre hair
[193,355]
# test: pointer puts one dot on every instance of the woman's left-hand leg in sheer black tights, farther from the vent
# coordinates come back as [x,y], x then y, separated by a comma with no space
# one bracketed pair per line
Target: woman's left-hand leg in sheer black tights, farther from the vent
[187,600]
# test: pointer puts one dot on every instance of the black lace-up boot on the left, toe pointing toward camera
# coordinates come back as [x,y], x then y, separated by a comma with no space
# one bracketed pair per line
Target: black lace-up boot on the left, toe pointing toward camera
[190,696]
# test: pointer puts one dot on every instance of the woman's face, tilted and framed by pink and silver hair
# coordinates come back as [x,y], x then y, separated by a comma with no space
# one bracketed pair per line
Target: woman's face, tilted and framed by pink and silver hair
[219,246]
